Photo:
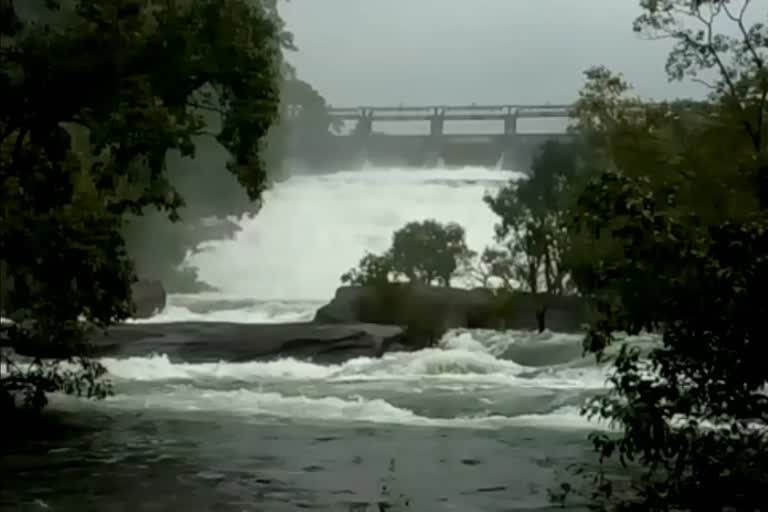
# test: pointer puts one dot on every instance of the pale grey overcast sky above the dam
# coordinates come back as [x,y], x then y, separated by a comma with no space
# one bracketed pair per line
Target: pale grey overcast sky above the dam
[373,52]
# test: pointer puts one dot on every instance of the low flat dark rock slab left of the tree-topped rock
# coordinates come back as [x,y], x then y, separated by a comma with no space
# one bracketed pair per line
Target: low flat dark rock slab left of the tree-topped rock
[197,342]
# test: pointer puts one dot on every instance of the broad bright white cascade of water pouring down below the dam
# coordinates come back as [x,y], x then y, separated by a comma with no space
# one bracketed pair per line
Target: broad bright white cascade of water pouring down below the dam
[312,229]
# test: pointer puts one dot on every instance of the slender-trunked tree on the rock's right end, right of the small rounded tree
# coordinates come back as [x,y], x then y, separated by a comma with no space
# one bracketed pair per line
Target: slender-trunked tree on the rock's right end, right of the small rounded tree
[531,235]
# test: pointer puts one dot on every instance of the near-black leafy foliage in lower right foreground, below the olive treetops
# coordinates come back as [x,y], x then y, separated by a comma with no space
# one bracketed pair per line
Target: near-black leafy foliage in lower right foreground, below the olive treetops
[701,287]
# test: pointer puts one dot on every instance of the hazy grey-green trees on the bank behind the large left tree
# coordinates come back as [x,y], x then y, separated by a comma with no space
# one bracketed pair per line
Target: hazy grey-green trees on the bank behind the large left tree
[302,128]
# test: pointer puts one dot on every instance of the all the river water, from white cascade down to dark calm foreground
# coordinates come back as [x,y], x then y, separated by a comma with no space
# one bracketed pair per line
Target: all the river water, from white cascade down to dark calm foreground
[484,422]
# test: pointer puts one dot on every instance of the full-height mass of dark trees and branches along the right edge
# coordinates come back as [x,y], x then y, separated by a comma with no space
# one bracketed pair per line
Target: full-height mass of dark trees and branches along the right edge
[683,253]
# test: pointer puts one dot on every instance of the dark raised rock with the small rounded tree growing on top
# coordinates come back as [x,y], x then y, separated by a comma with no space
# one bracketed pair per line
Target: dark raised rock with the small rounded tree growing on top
[436,309]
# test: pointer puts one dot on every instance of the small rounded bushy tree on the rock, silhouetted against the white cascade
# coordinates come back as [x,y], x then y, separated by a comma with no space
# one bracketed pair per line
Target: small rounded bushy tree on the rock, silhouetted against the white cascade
[426,252]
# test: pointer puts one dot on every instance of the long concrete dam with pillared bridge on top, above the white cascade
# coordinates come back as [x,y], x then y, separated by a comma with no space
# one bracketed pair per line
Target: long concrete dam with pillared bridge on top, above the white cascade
[452,136]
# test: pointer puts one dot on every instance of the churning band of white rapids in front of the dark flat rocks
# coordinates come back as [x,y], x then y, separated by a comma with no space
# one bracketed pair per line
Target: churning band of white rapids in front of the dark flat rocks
[474,379]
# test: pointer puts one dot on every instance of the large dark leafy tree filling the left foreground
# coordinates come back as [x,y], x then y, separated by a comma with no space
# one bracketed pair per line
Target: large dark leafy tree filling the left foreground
[96,93]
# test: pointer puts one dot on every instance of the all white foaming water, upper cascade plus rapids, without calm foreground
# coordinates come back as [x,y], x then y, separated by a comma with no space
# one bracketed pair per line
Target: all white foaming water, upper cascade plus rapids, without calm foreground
[285,262]
